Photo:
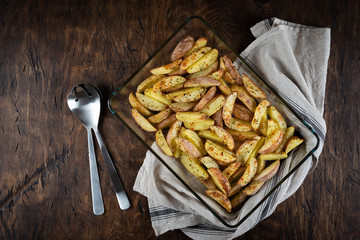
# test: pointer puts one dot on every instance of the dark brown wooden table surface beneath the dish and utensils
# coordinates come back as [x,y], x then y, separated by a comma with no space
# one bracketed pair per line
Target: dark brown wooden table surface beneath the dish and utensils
[46,47]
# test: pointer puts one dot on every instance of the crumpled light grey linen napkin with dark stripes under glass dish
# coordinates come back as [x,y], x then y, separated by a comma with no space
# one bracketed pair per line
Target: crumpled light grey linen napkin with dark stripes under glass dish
[293,59]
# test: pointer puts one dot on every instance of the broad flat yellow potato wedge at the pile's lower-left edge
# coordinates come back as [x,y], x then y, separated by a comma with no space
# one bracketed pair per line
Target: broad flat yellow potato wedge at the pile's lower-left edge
[194,167]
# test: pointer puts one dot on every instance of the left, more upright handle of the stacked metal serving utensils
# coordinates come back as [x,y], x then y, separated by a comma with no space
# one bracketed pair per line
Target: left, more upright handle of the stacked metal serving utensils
[98,205]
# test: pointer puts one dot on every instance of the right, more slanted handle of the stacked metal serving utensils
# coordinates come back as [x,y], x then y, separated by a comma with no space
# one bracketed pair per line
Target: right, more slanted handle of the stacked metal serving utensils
[121,196]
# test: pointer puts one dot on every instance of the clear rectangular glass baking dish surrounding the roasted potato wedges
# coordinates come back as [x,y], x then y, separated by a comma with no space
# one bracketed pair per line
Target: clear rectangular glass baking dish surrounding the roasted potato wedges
[120,107]
